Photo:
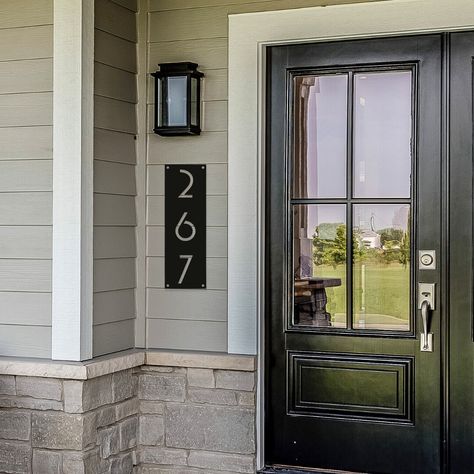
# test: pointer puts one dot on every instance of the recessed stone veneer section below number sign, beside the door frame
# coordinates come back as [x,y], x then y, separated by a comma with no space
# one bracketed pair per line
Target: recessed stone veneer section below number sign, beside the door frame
[196,421]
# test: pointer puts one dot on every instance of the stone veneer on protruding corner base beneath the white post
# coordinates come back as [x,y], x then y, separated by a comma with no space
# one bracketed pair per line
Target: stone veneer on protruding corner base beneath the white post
[56,426]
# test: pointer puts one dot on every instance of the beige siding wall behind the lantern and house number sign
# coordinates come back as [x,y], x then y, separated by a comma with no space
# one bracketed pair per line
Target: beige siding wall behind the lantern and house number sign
[194,30]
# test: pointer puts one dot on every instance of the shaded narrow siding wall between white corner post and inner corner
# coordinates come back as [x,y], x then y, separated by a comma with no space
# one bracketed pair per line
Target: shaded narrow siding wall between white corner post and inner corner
[114,175]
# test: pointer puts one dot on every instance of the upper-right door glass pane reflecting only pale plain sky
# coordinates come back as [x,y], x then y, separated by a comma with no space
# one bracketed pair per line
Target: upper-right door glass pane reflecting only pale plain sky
[382,134]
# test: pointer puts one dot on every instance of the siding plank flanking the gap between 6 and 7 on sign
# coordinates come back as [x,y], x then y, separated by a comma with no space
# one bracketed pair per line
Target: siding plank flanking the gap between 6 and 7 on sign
[216,241]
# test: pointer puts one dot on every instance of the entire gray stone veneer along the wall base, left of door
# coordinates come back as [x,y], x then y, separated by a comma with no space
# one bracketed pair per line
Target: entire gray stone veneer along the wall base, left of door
[151,419]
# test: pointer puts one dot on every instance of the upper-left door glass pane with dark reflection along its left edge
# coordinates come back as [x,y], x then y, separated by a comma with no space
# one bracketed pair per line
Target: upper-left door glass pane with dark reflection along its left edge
[320,136]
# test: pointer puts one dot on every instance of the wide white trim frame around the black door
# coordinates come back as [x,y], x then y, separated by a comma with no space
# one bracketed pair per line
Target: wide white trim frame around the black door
[249,36]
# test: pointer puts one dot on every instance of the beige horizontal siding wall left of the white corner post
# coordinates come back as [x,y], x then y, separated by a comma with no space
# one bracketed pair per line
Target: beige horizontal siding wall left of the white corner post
[26,84]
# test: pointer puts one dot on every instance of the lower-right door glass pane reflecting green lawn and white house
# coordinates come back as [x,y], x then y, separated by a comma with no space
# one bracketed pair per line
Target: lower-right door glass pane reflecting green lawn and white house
[381,267]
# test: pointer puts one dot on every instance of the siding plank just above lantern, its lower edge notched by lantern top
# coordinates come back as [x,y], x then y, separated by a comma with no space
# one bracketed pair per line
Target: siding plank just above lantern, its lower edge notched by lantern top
[208,53]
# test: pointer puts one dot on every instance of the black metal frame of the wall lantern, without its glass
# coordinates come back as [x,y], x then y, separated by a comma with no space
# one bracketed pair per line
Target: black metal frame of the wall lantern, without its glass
[182,69]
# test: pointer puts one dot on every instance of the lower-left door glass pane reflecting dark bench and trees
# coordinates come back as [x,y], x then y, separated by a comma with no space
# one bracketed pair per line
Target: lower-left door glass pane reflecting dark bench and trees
[319,265]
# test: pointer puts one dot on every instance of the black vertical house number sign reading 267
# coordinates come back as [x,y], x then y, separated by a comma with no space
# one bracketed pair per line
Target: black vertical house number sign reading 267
[185,226]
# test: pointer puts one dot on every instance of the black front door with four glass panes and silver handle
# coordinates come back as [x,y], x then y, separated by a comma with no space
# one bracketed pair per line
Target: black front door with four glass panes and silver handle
[369,157]
